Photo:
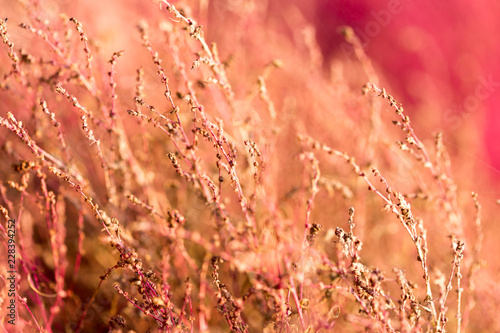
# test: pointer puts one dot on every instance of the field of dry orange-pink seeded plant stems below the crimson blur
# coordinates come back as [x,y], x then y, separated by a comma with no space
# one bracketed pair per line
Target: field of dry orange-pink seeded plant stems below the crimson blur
[202,166]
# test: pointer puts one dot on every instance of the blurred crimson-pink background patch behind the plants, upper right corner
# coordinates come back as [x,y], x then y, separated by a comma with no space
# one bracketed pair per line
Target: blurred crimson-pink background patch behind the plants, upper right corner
[436,57]
